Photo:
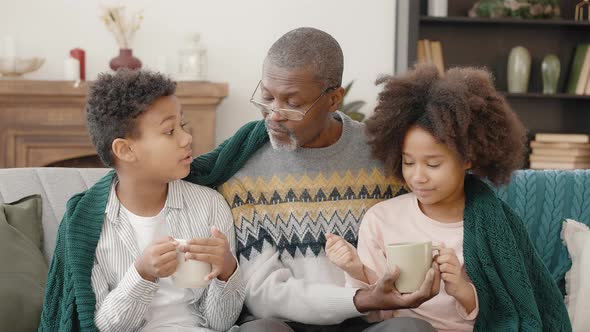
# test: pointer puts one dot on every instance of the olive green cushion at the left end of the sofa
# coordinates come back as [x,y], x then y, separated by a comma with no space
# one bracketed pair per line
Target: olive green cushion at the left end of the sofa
[23,270]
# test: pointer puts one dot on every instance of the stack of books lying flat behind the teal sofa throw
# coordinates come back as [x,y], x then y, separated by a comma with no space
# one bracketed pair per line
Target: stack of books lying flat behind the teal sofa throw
[560,151]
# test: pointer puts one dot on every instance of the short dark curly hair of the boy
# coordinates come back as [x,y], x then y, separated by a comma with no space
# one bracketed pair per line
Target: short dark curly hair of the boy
[116,100]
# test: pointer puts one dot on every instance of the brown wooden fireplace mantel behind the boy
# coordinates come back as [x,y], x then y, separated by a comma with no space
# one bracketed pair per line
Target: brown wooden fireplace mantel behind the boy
[43,122]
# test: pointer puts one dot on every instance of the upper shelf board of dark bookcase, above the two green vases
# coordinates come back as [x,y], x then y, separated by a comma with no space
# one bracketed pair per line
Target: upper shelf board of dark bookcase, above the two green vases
[495,21]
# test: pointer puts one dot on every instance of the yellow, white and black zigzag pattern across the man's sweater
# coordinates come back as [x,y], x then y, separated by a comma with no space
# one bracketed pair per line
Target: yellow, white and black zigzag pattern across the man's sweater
[293,214]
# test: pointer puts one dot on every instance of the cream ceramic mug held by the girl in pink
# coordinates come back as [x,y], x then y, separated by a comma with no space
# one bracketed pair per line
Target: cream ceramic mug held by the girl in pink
[413,259]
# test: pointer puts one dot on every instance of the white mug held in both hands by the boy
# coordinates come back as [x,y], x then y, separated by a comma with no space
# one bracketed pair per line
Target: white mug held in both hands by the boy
[189,273]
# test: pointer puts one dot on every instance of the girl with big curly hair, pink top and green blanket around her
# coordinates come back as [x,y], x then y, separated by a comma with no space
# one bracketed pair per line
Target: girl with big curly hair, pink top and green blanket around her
[440,135]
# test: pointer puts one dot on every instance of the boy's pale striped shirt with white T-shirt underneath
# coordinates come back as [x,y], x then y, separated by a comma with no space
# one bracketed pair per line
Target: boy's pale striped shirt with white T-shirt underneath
[124,299]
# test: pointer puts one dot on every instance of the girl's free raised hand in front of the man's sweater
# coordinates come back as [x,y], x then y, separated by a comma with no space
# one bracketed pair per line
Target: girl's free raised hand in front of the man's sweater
[344,255]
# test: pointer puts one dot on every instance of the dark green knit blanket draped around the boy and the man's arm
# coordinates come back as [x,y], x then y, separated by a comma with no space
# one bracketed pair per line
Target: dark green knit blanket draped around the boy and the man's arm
[70,302]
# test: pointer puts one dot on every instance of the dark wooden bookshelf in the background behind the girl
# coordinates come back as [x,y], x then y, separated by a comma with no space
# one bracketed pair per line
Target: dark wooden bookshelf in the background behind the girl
[486,42]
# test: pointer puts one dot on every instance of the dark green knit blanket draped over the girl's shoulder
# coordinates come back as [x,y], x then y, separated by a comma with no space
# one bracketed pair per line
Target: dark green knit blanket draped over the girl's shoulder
[515,290]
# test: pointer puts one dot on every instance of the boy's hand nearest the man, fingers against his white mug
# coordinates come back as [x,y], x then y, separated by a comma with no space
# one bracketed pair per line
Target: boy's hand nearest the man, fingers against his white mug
[215,251]
